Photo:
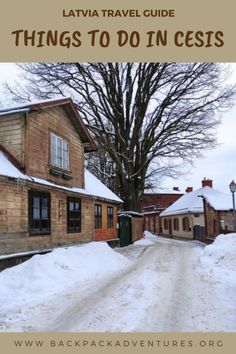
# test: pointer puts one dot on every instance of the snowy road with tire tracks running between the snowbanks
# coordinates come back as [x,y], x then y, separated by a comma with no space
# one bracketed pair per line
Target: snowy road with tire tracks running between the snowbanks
[162,290]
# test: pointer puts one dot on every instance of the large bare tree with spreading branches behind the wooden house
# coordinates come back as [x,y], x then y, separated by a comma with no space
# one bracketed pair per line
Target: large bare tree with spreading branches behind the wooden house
[141,114]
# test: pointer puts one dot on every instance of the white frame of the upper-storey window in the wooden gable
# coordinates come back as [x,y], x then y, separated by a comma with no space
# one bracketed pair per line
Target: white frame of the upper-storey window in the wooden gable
[61,160]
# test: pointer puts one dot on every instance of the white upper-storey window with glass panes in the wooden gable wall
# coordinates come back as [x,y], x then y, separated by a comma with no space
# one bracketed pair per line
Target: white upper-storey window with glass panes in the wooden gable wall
[59,152]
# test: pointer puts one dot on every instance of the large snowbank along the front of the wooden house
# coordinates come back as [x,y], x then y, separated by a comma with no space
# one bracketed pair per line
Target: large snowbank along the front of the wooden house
[46,275]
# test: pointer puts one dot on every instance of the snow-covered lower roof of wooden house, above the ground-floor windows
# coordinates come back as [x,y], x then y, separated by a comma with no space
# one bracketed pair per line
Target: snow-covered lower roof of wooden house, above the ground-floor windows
[93,187]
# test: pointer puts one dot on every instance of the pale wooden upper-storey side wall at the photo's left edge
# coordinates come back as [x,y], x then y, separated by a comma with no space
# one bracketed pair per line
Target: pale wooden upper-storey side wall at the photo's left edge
[12,135]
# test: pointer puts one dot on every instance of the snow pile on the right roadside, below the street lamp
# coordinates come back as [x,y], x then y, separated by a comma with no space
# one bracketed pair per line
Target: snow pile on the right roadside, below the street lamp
[220,254]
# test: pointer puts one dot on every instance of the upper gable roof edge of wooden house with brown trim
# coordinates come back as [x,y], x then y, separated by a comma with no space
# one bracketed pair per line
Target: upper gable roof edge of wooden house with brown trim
[69,107]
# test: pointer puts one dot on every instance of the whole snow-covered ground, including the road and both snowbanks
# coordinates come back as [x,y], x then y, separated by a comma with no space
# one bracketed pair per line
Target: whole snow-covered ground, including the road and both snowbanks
[154,285]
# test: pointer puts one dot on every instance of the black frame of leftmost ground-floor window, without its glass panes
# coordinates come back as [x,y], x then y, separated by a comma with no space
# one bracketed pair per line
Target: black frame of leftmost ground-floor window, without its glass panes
[41,195]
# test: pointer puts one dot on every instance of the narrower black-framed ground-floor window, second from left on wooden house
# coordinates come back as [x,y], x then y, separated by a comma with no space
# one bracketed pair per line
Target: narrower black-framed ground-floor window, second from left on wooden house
[73,215]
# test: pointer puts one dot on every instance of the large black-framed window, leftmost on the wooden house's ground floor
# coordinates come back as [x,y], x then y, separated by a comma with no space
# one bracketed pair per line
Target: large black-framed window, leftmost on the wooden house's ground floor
[39,213]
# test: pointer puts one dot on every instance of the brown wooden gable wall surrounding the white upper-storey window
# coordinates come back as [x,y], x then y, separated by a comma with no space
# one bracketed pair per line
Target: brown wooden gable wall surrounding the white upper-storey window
[40,124]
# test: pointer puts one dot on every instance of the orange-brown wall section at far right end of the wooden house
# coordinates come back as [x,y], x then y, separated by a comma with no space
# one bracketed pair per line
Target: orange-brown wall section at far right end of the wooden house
[105,233]
